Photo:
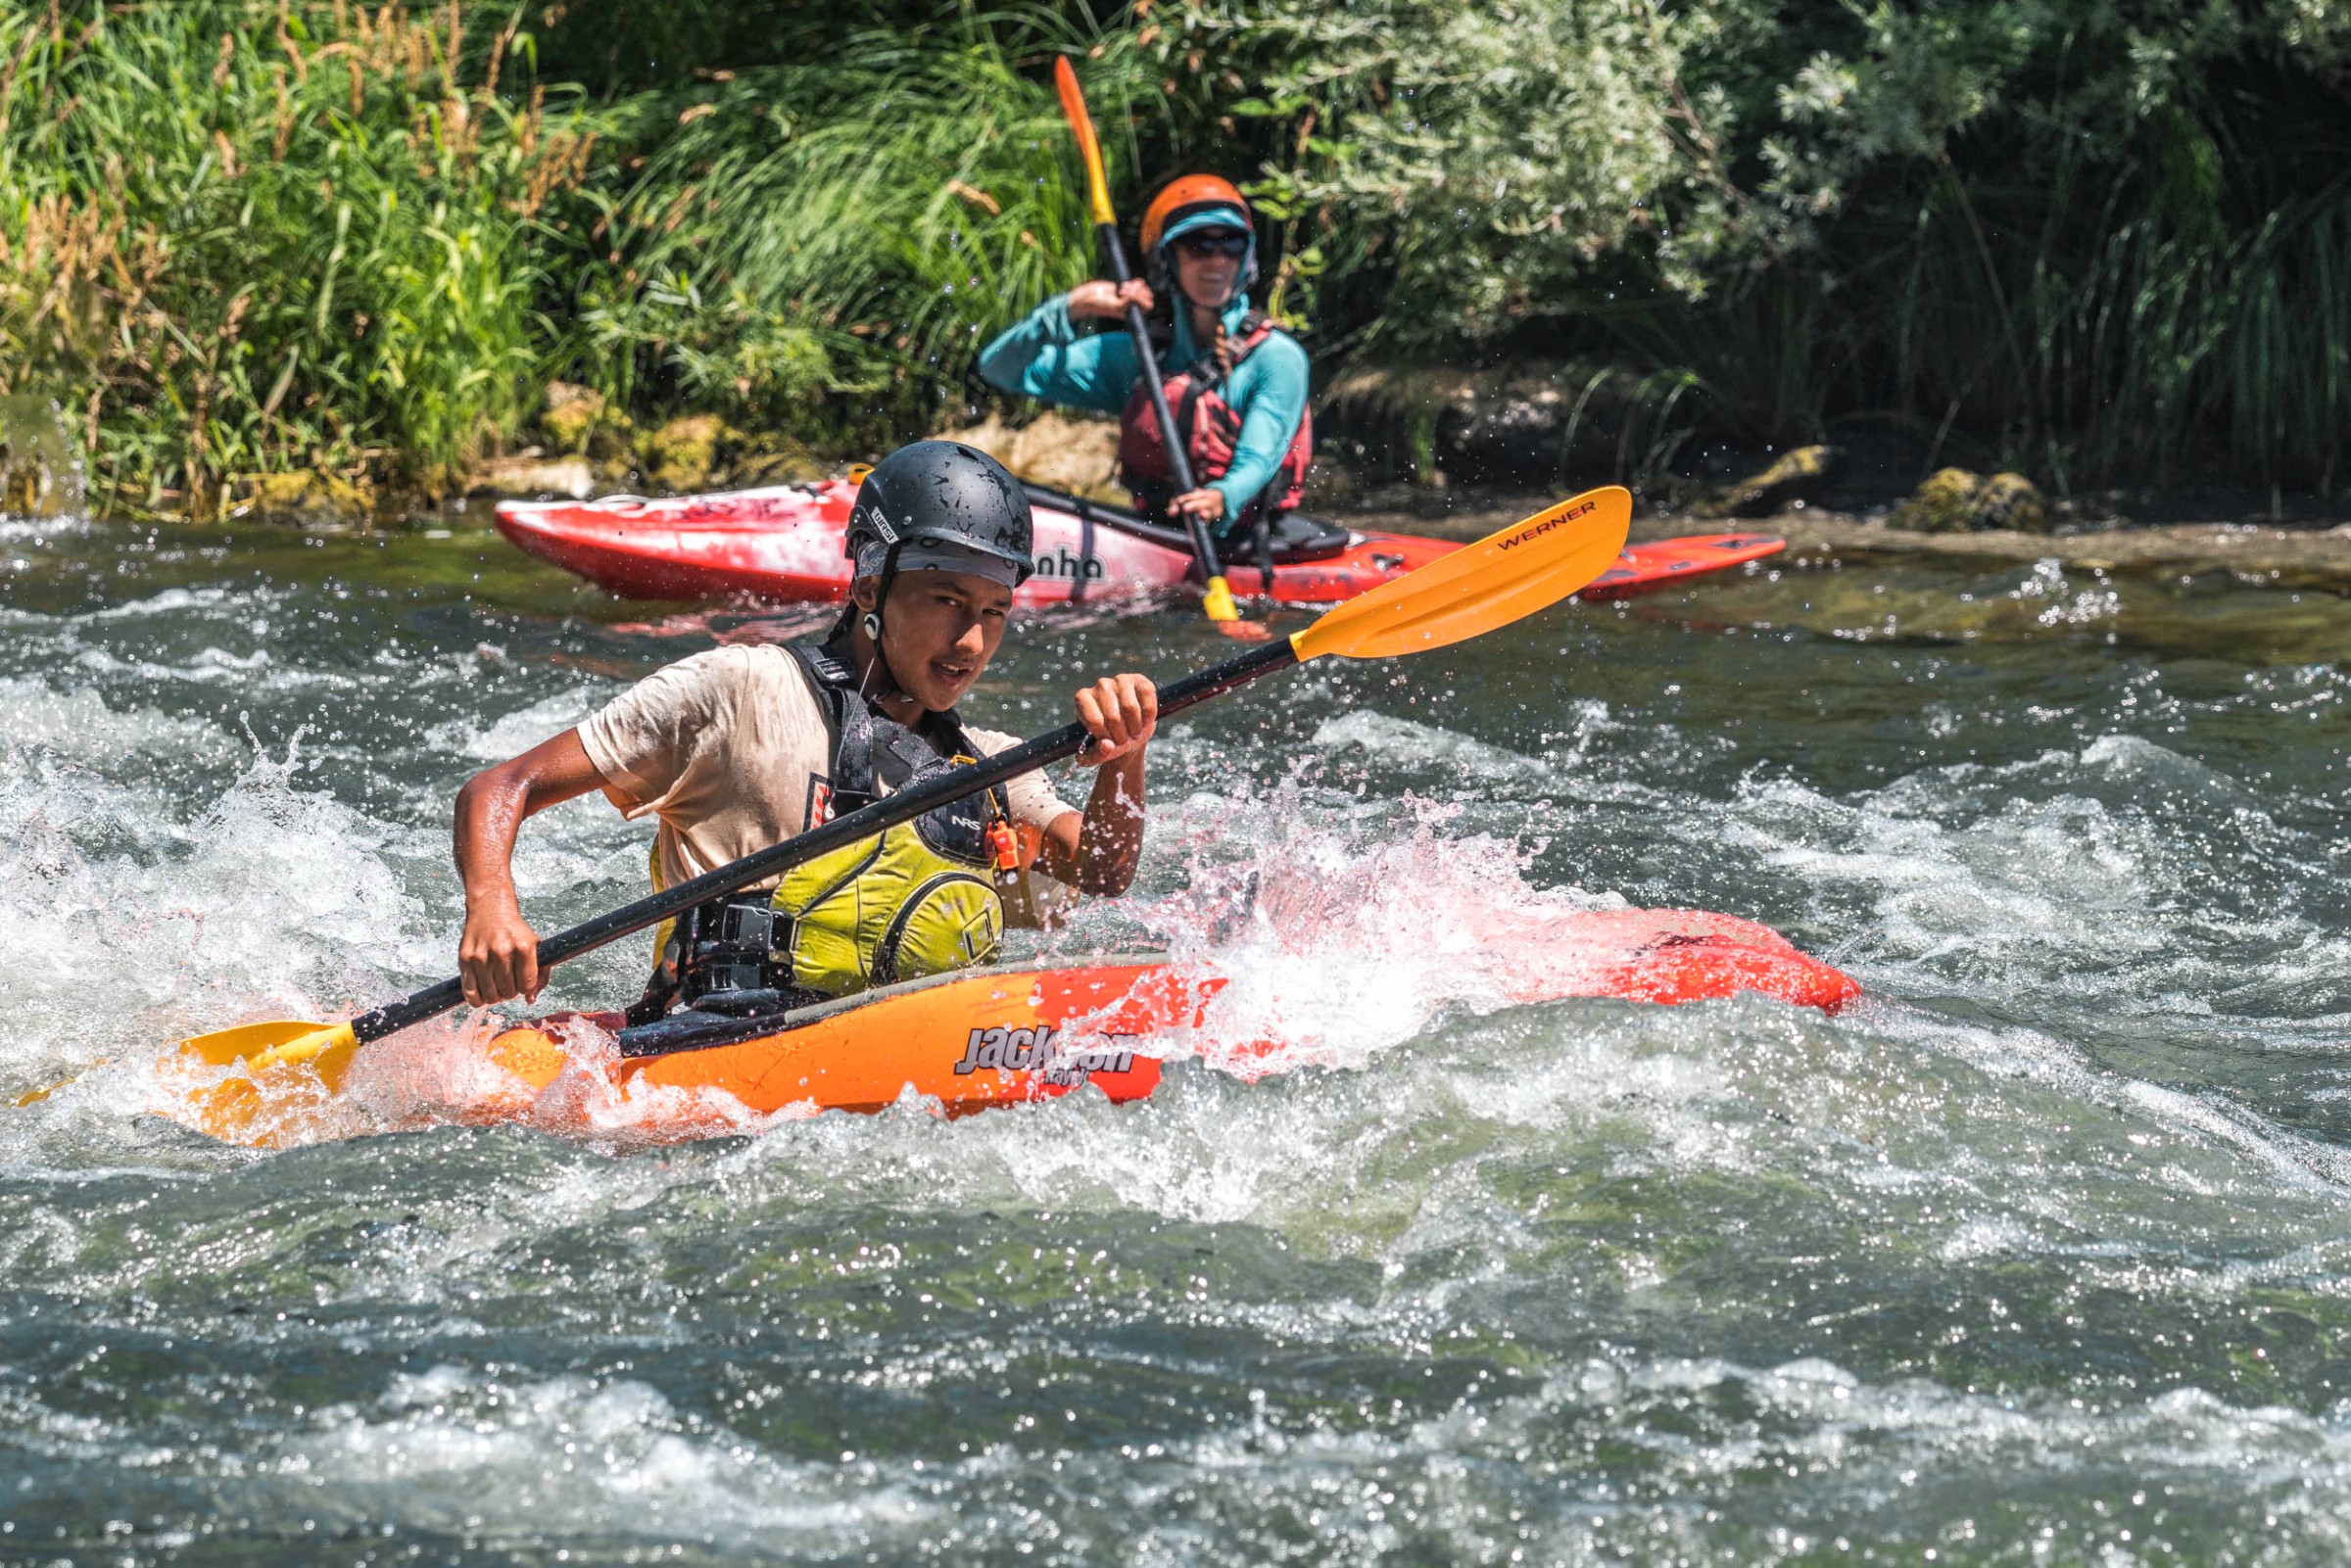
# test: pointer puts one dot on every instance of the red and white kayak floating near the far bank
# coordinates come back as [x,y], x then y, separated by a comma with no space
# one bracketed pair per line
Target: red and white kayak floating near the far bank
[784,547]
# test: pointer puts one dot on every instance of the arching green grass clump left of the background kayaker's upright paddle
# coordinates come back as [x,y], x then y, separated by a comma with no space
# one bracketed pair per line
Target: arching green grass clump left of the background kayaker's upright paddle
[831,241]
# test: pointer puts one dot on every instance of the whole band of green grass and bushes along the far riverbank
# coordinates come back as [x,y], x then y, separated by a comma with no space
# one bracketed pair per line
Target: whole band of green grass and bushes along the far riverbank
[2094,241]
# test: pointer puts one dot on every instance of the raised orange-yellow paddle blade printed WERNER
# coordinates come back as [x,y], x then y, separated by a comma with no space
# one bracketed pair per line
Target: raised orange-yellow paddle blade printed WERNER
[1503,577]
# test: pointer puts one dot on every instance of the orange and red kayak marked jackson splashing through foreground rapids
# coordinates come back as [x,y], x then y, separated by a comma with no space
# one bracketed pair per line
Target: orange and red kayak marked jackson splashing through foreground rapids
[958,1045]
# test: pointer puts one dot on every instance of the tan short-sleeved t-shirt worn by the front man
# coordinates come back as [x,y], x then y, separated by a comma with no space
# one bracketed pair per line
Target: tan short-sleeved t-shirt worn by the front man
[730,751]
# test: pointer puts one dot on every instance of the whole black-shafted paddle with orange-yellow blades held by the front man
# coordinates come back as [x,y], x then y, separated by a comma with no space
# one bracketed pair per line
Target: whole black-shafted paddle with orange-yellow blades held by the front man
[1503,577]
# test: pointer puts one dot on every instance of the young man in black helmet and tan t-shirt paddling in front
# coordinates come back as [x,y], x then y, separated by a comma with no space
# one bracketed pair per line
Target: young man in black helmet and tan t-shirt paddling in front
[746,746]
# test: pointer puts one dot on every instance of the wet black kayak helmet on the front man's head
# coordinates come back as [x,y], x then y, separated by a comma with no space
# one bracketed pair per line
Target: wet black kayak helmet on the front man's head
[942,504]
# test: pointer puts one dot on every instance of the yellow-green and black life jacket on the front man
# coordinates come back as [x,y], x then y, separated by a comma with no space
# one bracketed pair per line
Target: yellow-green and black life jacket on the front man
[916,902]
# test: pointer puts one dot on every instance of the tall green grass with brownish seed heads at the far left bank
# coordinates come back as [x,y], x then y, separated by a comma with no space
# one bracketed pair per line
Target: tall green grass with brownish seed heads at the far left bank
[257,239]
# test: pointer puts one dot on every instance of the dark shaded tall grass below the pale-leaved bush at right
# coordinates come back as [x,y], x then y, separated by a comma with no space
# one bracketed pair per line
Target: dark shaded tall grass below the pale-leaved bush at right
[2084,330]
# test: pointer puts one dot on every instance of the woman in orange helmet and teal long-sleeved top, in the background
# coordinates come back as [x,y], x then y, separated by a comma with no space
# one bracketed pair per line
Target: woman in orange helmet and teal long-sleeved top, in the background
[1238,384]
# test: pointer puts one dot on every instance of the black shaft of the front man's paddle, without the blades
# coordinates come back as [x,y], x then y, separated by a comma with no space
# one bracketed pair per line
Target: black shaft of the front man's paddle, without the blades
[843,831]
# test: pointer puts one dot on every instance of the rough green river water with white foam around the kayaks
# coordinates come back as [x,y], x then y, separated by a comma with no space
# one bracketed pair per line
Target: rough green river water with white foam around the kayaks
[2042,1254]
